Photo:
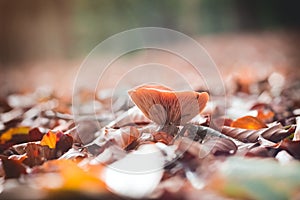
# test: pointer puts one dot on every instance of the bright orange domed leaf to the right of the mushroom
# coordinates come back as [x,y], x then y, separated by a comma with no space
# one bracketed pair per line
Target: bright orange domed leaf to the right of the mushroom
[248,122]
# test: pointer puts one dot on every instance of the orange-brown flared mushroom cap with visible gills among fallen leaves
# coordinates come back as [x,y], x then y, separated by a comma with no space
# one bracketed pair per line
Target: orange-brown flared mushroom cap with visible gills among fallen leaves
[166,107]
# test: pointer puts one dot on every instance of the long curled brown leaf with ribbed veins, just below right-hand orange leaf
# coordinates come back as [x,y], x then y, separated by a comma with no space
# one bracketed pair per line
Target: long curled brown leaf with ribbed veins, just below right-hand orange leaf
[274,133]
